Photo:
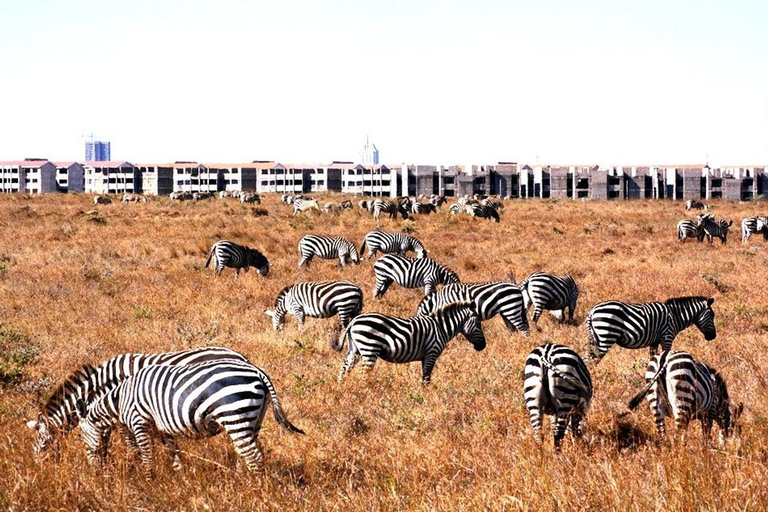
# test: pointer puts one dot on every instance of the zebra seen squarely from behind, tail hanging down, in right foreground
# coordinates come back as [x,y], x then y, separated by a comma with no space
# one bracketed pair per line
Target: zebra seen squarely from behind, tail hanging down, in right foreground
[557,383]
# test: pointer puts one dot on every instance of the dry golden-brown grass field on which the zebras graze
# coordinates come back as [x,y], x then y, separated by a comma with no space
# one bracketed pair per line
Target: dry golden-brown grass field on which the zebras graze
[80,283]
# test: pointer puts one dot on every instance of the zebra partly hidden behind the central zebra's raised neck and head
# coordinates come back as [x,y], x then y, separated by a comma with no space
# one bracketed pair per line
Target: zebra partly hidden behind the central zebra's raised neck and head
[501,297]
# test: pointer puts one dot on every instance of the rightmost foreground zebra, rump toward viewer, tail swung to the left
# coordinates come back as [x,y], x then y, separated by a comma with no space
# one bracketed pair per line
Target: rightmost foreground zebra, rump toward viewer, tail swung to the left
[686,389]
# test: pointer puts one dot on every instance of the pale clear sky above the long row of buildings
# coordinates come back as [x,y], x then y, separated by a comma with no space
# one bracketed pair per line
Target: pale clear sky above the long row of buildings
[439,82]
